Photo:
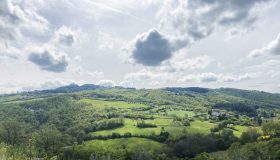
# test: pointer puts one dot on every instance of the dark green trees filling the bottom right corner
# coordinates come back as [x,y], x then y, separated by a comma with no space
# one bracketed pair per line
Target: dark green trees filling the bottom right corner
[250,146]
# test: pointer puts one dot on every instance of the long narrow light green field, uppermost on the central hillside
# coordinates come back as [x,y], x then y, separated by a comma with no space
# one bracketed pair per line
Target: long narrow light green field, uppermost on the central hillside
[101,104]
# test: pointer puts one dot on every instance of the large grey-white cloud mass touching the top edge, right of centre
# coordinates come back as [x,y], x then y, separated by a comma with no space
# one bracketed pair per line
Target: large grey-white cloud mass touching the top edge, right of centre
[200,18]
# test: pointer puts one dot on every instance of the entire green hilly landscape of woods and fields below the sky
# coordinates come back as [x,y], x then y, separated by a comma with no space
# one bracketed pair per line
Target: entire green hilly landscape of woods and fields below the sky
[113,123]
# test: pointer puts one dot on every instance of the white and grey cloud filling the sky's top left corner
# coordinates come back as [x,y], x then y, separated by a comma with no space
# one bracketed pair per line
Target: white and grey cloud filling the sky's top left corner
[15,21]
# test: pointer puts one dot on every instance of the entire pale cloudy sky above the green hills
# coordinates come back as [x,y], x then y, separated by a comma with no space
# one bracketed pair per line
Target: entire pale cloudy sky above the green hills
[45,44]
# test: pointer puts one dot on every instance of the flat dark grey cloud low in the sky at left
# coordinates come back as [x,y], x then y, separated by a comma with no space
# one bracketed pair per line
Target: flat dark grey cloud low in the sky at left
[49,59]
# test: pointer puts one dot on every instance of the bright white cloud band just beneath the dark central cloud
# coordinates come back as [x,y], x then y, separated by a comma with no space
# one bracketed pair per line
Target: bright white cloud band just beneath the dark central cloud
[170,71]
